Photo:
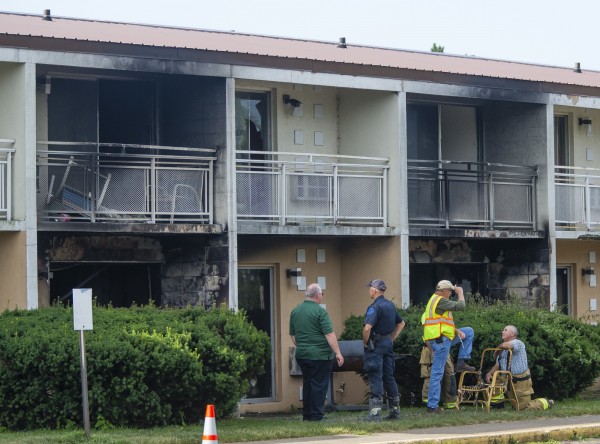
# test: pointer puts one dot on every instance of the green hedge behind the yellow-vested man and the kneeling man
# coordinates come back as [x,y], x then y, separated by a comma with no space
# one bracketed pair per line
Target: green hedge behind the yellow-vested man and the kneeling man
[563,353]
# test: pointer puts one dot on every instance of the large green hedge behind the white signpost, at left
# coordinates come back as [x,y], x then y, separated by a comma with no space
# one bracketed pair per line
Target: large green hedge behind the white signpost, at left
[146,366]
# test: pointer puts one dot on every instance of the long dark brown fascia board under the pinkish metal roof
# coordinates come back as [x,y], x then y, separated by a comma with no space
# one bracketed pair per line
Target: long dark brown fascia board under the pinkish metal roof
[316,66]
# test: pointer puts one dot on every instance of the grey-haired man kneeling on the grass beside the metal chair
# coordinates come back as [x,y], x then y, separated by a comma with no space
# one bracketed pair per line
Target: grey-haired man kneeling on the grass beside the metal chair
[521,376]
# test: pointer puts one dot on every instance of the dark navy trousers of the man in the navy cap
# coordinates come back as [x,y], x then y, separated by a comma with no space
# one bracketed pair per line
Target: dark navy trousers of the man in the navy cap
[379,366]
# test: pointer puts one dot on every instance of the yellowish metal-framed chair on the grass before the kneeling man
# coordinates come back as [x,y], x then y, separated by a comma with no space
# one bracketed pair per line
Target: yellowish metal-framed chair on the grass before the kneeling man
[473,389]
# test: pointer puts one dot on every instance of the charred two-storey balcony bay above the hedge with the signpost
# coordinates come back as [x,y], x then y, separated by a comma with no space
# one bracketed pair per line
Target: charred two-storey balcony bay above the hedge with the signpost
[126,187]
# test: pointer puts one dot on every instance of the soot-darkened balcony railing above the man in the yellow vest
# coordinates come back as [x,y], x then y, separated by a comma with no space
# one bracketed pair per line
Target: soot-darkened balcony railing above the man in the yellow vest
[475,195]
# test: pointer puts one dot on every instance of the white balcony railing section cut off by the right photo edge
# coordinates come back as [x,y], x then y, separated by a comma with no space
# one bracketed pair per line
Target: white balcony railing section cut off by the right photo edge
[577,192]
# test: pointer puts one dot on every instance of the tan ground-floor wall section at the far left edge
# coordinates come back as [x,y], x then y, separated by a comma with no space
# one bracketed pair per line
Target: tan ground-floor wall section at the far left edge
[13,279]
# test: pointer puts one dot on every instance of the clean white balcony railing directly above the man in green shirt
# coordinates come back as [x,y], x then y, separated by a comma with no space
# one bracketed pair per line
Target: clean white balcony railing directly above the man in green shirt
[303,189]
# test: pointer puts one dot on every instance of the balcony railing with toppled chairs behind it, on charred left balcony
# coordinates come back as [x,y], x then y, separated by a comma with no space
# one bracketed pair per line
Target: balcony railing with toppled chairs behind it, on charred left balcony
[107,182]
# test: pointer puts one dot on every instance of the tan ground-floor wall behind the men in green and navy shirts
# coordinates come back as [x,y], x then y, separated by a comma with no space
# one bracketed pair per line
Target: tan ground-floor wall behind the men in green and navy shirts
[349,265]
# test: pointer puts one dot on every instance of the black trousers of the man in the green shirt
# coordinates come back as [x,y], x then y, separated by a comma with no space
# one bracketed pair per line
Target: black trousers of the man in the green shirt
[315,382]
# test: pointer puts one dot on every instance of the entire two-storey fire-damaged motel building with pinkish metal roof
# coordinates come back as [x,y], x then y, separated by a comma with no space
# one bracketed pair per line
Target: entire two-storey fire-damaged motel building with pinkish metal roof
[183,167]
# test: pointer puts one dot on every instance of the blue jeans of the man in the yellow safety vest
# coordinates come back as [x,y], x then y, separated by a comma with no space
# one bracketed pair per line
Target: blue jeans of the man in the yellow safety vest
[441,350]
